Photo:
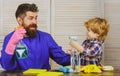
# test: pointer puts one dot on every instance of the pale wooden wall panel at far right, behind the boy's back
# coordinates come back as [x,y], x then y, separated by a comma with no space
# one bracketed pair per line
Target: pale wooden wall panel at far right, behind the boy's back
[112,44]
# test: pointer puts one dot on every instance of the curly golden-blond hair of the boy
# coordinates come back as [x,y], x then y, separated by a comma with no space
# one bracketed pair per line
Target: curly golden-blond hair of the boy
[99,26]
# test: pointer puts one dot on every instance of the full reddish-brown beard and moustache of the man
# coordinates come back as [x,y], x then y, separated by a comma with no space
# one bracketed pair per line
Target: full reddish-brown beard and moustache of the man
[31,32]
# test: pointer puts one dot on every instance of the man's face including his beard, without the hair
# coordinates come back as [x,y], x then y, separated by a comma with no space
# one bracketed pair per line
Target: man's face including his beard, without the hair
[30,24]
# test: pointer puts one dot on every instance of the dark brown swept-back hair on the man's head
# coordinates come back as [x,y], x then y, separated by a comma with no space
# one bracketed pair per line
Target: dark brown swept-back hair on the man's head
[25,7]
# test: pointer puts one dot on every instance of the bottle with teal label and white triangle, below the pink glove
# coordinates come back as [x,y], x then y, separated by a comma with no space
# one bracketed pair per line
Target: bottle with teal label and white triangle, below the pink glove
[21,50]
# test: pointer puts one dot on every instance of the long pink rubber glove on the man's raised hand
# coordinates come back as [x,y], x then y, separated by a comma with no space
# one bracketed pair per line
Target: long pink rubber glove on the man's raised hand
[16,37]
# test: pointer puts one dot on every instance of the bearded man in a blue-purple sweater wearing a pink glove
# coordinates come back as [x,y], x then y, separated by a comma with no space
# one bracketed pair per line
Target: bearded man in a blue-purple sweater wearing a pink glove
[40,46]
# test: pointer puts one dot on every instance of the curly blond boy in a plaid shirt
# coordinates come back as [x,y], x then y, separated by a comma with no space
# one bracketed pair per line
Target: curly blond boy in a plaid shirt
[91,49]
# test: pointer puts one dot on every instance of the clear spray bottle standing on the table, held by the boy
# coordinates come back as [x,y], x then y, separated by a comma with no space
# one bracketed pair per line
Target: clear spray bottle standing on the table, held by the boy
[75,57]
